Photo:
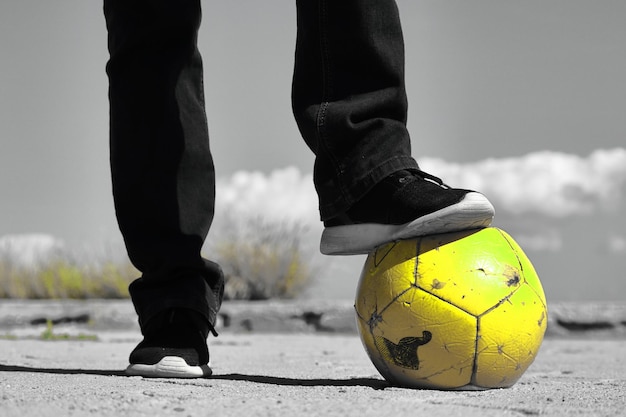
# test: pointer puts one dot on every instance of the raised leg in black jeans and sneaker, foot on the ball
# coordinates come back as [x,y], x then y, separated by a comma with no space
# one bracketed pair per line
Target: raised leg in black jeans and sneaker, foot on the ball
[350,104]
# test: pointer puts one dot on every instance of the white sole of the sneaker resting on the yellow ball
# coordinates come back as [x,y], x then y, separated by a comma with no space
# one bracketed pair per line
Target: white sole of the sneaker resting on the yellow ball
[473,212]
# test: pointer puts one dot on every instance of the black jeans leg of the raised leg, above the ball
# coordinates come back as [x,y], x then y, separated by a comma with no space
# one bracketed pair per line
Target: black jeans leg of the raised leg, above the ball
[349,98]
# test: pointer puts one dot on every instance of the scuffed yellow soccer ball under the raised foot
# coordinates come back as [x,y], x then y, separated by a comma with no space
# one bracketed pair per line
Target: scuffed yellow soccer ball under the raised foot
[456,310]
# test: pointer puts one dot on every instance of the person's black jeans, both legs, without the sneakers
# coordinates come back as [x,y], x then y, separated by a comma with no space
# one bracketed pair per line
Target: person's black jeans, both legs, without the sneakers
[348,99]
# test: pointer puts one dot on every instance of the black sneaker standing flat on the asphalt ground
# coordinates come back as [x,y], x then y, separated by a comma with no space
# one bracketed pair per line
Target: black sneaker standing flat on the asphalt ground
[174,346]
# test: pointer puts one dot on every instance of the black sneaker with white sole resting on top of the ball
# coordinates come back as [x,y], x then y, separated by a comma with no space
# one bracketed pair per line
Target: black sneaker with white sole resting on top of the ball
[405,205]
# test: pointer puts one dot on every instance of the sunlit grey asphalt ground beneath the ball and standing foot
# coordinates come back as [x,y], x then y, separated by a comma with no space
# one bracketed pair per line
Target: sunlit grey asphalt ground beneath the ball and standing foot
[75,369]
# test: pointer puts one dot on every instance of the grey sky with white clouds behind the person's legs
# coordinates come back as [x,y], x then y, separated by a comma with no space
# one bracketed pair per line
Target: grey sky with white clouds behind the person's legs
[523,99]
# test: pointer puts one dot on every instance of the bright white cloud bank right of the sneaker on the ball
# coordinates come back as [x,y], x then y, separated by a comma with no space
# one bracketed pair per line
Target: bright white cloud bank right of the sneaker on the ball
[550,183]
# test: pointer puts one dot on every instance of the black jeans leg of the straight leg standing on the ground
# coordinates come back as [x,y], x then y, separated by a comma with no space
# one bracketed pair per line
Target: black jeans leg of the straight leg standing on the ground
[162,169]
